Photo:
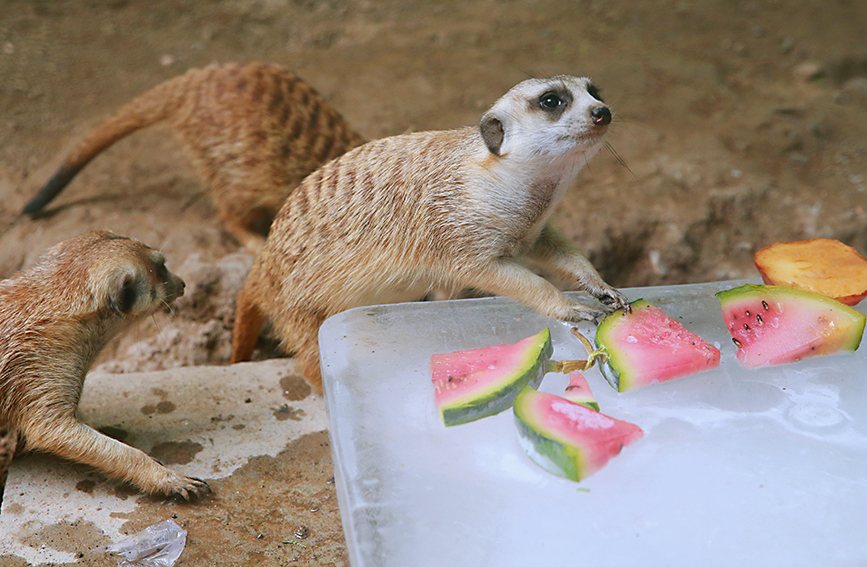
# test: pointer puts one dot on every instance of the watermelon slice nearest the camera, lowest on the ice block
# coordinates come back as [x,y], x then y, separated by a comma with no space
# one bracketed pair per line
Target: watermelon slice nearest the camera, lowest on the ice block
[568,439]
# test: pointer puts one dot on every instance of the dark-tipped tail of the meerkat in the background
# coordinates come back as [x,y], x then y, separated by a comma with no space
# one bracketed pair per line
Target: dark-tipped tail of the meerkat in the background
[149,108]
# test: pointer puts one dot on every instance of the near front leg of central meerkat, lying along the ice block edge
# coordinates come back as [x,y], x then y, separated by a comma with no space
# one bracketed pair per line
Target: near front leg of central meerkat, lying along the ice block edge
[506,276]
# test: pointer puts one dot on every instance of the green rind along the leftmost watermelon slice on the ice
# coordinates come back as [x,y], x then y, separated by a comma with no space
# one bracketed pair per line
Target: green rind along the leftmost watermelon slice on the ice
[497,400]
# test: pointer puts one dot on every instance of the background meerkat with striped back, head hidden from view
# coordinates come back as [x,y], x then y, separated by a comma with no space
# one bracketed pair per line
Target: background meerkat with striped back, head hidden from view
[254,132]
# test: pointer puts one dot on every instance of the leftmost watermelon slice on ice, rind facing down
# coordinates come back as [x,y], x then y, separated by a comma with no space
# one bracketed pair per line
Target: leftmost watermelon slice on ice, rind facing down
[472,384]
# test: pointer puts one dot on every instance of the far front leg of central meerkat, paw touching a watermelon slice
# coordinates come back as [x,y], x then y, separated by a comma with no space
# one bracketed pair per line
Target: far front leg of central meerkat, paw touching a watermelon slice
[554,252]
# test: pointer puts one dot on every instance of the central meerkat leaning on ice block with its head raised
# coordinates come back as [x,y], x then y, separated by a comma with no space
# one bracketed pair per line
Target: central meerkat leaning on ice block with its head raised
[397,217]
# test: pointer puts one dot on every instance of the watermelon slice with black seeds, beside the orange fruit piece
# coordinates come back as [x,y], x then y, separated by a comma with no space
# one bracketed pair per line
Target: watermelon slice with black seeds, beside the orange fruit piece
[777,325]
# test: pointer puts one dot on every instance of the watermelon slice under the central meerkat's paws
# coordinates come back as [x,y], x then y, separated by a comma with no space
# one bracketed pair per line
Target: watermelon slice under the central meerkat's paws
[647,346]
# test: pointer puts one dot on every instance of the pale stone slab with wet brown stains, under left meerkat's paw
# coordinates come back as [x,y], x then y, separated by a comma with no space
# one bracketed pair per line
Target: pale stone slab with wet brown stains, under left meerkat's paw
[202,421]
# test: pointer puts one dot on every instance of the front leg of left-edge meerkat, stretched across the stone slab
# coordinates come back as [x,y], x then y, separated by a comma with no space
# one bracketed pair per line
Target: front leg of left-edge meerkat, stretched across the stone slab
[67,437]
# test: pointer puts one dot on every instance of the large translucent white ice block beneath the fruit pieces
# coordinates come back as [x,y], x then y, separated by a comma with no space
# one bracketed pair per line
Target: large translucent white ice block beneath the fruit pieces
[737,467]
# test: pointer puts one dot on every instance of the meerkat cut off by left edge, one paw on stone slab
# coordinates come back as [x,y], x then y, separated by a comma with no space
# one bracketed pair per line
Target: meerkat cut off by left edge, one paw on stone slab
[55,318]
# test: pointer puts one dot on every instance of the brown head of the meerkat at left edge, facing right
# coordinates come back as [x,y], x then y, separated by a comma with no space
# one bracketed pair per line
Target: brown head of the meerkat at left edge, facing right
[121,275]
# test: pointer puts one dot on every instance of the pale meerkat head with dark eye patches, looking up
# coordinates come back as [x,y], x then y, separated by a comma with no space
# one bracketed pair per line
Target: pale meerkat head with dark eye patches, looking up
[547,118]
